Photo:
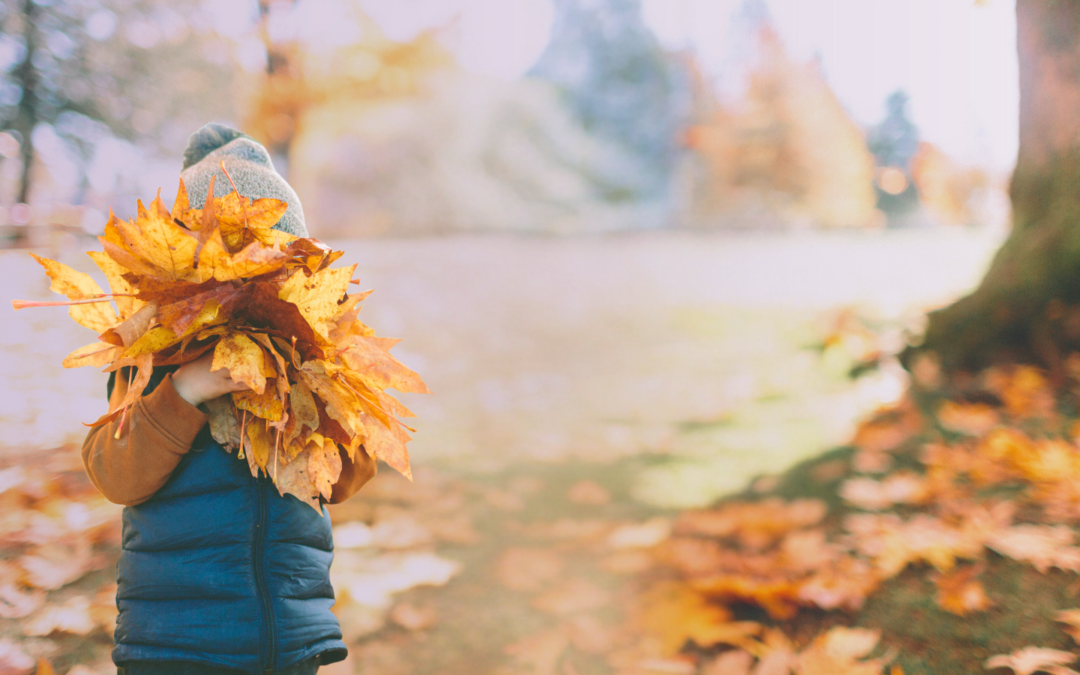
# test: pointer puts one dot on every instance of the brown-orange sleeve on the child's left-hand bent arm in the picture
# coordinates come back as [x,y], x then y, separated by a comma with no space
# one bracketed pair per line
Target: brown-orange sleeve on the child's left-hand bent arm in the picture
[157,435]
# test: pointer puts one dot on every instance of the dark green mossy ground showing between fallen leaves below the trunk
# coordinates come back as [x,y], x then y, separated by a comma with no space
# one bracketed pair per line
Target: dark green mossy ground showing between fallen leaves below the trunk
[928,640]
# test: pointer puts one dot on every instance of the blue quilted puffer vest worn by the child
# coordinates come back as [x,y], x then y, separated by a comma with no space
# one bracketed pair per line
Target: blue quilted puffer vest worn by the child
[219,569]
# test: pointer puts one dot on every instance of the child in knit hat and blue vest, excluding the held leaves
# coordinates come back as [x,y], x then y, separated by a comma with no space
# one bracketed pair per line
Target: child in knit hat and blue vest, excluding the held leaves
[219,574]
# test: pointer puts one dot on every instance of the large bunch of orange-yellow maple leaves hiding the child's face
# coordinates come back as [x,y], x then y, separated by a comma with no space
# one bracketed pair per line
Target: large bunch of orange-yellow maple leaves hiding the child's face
[275,314]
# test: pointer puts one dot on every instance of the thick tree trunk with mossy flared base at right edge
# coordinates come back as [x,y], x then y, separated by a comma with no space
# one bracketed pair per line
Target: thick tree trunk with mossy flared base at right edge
[1028,307]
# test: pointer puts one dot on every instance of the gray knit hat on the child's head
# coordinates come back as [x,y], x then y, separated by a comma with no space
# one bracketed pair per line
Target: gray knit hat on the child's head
[250,166]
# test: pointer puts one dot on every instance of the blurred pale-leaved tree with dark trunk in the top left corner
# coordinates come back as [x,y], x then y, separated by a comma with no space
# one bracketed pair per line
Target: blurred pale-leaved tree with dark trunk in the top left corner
[84,72]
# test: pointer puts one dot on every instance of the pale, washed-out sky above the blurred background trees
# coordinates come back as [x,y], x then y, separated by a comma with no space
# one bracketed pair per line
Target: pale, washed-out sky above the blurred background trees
[956,59]
